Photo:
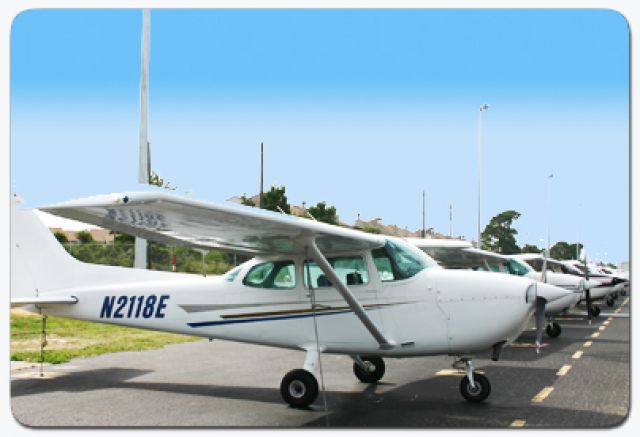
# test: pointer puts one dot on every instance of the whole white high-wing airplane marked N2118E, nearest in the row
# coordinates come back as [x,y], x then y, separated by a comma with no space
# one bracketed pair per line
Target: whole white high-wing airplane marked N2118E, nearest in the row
[311,286]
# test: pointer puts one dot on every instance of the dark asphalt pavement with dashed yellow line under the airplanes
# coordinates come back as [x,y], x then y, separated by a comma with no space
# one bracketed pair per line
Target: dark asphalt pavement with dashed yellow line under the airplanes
[579,380]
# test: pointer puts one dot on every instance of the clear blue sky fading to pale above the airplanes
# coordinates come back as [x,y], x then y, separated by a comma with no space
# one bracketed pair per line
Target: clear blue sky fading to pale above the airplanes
[360,108]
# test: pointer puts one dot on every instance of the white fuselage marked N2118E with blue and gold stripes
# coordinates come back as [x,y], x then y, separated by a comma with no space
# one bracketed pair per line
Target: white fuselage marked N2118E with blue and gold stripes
[433,312]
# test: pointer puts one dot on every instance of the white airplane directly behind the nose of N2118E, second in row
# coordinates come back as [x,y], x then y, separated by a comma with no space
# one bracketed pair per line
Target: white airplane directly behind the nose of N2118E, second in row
[458,254]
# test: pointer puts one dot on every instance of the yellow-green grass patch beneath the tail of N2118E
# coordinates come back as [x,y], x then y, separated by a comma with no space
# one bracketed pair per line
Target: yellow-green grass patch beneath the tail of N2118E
[68,339]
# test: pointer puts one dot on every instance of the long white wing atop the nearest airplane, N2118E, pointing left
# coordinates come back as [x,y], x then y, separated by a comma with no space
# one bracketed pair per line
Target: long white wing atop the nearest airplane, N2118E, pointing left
[176,220]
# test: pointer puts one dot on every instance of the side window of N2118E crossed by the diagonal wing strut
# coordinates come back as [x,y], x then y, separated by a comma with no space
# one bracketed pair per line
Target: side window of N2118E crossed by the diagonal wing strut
[352,270]
